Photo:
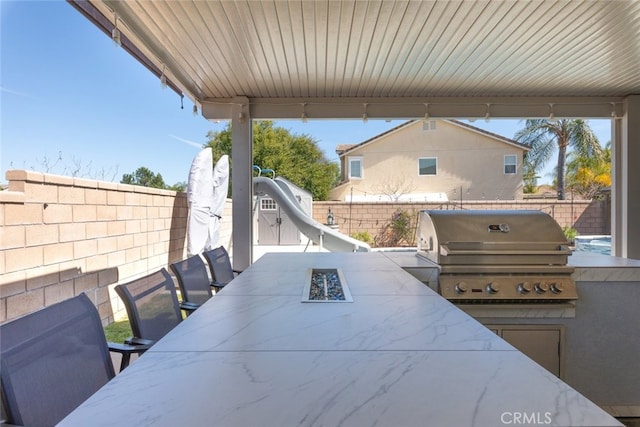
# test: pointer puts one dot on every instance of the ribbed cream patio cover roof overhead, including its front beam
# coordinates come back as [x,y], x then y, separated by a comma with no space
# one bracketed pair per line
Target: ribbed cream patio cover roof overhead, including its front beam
[387,58]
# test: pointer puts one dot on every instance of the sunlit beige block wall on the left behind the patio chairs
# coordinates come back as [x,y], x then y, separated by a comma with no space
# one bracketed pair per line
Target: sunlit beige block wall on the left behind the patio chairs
[62,236]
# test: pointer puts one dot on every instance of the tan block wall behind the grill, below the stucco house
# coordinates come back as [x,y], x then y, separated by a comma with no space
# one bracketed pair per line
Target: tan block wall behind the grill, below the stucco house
[588,217]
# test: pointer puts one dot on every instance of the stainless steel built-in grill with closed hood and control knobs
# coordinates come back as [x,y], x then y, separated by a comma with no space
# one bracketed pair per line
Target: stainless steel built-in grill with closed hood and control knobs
[497,256]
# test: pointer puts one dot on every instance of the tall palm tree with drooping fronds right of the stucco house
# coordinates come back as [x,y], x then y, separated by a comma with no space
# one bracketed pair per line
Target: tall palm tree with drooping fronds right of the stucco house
[545,135]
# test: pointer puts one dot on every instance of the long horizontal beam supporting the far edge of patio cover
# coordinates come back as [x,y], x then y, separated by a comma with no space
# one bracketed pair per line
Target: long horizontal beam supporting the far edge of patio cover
[412,108]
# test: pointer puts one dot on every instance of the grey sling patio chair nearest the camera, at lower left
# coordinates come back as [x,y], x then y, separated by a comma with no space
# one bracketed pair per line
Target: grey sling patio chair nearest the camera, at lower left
[52,360]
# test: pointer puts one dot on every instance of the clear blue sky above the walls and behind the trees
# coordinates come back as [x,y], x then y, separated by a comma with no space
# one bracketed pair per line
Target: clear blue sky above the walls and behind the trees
[66,91]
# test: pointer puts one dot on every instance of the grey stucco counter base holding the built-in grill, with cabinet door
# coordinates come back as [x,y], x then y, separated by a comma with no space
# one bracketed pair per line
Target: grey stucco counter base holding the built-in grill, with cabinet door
[597,335]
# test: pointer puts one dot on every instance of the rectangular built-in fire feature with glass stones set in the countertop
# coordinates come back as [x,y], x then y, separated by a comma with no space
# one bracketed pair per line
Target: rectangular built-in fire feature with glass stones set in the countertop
[325,285]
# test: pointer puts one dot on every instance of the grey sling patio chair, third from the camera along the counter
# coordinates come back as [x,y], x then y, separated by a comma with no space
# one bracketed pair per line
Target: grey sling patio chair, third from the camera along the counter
[193,280]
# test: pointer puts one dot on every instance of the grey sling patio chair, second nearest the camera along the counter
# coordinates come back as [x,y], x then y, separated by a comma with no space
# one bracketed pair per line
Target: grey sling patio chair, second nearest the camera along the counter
[152,306]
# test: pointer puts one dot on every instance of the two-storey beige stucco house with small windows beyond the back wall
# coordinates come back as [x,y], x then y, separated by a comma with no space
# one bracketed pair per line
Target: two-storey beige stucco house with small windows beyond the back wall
[431,160]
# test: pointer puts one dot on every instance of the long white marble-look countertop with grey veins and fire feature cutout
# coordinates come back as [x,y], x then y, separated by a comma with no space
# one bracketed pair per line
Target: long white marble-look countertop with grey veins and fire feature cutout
[398,355]
